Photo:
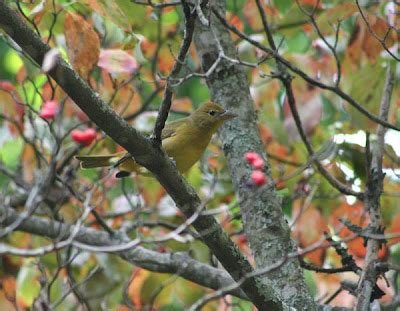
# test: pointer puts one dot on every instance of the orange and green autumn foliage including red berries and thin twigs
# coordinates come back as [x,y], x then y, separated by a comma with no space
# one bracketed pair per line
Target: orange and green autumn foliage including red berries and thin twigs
[125,51]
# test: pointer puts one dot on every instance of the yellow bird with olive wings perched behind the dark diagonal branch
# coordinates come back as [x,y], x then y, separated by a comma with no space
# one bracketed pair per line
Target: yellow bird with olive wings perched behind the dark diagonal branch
[183,140]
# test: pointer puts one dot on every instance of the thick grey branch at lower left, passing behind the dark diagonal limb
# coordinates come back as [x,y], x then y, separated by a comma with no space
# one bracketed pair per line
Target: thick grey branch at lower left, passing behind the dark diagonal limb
[176,263]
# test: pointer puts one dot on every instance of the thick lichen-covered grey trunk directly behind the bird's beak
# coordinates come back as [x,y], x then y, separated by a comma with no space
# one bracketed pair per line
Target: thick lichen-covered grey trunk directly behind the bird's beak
[264,223]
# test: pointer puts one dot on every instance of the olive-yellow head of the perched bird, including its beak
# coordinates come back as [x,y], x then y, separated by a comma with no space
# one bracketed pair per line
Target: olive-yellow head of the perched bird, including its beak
[211,116]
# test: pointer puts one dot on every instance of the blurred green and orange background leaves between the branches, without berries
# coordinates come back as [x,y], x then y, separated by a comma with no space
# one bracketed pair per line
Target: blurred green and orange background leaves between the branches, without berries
[150,39]
